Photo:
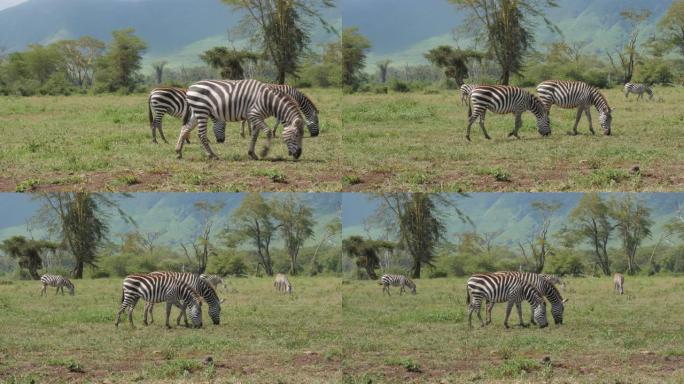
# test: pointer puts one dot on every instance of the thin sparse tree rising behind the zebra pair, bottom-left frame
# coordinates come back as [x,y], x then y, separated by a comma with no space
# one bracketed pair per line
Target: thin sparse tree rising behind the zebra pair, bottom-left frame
[201,245]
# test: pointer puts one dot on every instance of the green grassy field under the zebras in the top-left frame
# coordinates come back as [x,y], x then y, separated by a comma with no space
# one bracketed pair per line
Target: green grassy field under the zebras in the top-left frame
[103,143]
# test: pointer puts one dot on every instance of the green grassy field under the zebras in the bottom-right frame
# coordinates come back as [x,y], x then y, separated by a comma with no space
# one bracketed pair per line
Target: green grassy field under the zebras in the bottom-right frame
[635,338]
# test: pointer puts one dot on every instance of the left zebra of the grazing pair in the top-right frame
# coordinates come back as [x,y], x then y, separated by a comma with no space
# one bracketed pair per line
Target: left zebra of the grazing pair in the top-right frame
[506,99]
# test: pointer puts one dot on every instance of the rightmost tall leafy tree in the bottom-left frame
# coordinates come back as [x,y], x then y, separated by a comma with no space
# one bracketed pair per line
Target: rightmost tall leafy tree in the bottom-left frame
[295,223]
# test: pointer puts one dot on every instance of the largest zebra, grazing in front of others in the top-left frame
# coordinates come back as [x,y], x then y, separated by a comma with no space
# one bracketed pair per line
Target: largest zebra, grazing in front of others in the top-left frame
[238,100]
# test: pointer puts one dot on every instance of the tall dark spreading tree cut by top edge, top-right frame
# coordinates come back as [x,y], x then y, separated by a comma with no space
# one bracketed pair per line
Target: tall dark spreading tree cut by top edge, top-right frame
[507,27]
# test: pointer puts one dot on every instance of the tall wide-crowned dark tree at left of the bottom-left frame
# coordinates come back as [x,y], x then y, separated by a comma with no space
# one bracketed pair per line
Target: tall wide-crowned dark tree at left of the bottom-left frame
[81,220]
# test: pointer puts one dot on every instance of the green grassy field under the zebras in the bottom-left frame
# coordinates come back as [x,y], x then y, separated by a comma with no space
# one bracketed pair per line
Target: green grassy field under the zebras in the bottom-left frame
[263,336]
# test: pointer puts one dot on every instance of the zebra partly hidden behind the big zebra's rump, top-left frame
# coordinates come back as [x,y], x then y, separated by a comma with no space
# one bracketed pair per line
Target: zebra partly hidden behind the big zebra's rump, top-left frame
[172,101]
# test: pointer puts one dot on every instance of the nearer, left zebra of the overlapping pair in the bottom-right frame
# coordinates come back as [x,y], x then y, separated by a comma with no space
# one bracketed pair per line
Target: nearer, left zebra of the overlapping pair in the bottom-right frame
[497,288]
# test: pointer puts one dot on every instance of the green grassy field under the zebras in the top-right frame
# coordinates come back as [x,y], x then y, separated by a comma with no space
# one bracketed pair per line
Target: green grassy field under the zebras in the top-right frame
[416,141]
